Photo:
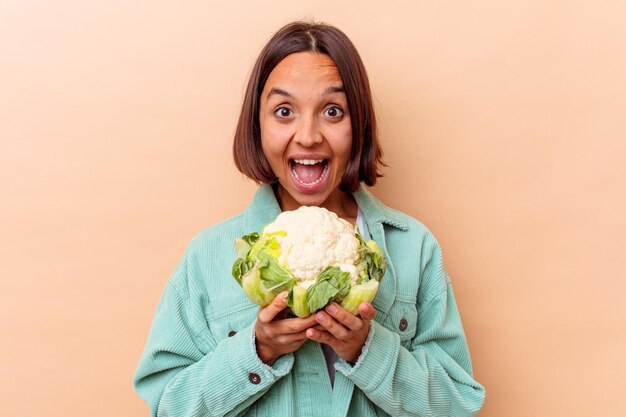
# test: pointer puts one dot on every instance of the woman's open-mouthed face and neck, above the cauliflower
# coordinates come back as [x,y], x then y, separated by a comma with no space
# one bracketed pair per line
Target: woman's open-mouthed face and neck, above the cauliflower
[305,131]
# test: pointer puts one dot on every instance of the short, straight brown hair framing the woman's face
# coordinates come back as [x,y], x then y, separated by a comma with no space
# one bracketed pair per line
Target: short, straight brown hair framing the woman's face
[366,154]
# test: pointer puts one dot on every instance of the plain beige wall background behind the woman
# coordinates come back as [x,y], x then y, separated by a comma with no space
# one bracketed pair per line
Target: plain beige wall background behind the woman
[503,125]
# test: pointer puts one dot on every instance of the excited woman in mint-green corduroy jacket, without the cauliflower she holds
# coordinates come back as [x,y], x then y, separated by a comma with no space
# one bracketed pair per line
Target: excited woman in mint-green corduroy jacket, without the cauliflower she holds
[307,134]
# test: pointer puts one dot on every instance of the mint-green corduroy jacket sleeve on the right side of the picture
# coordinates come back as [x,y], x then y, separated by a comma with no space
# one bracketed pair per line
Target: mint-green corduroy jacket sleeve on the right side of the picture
[433,375]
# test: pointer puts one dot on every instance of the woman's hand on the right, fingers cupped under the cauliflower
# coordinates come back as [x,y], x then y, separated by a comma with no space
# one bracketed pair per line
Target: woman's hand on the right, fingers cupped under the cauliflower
[344,332]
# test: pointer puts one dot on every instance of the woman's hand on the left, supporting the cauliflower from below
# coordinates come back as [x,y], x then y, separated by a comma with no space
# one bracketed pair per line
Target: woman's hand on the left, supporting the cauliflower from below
[276,336]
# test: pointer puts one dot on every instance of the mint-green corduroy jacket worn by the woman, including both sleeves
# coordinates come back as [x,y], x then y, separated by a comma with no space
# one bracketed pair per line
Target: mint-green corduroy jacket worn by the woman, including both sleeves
[200,357]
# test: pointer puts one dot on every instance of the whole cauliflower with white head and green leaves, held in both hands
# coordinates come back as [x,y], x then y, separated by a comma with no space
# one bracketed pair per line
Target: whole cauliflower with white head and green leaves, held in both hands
[314,255]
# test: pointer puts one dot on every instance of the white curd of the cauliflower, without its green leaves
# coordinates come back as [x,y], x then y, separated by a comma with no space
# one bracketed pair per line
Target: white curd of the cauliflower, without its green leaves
[314,240]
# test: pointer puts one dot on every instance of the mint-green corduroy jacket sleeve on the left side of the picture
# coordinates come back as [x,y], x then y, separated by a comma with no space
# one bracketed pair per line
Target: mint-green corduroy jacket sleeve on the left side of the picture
[184,372]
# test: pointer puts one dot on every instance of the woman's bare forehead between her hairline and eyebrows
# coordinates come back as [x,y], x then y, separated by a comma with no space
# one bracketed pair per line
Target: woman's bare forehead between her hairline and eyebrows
[304,69]
